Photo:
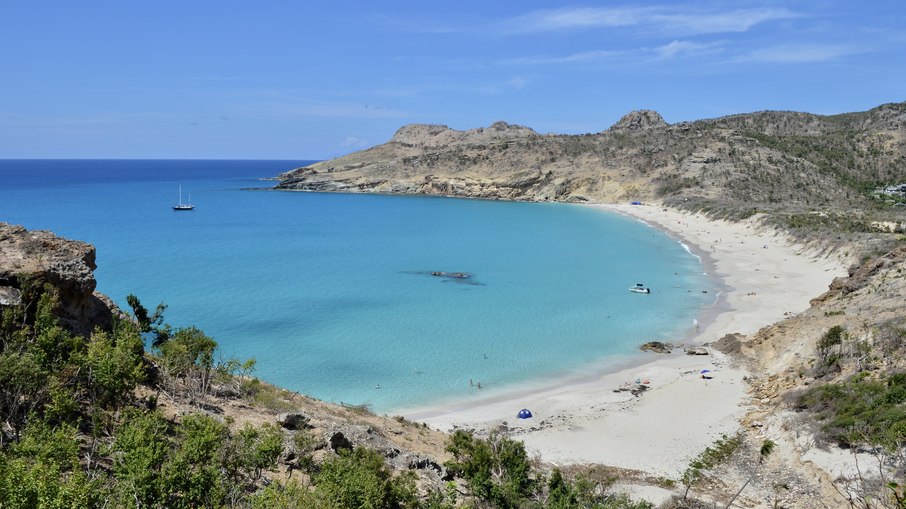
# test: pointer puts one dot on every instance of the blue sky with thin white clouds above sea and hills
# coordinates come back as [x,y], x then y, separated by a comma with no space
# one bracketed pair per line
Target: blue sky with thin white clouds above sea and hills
[310,80]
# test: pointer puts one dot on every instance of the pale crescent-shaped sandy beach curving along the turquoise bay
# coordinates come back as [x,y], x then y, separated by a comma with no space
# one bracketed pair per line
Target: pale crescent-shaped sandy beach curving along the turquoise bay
[581,420]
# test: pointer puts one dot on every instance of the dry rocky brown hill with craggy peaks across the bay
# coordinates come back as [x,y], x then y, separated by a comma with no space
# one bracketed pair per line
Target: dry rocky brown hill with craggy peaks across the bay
[758,160]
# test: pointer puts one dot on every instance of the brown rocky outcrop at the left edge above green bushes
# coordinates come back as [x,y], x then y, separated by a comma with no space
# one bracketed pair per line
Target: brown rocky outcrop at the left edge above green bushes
[42,257]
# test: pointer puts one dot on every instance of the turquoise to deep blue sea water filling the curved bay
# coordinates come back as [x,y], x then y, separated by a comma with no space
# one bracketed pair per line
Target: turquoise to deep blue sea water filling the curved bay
[332,293]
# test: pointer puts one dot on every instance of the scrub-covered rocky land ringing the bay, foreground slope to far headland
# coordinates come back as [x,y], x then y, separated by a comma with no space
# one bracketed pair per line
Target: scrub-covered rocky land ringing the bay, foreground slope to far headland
[103,408]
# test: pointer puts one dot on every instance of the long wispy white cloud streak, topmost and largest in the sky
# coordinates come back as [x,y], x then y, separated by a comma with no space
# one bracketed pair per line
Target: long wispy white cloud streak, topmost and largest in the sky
[672,20]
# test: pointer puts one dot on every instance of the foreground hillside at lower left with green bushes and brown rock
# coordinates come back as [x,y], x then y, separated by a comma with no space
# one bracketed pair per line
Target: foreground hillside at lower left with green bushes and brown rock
[101,409]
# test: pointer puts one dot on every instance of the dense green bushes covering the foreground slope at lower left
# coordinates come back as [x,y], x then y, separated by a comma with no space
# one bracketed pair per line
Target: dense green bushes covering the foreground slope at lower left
[82,429]
